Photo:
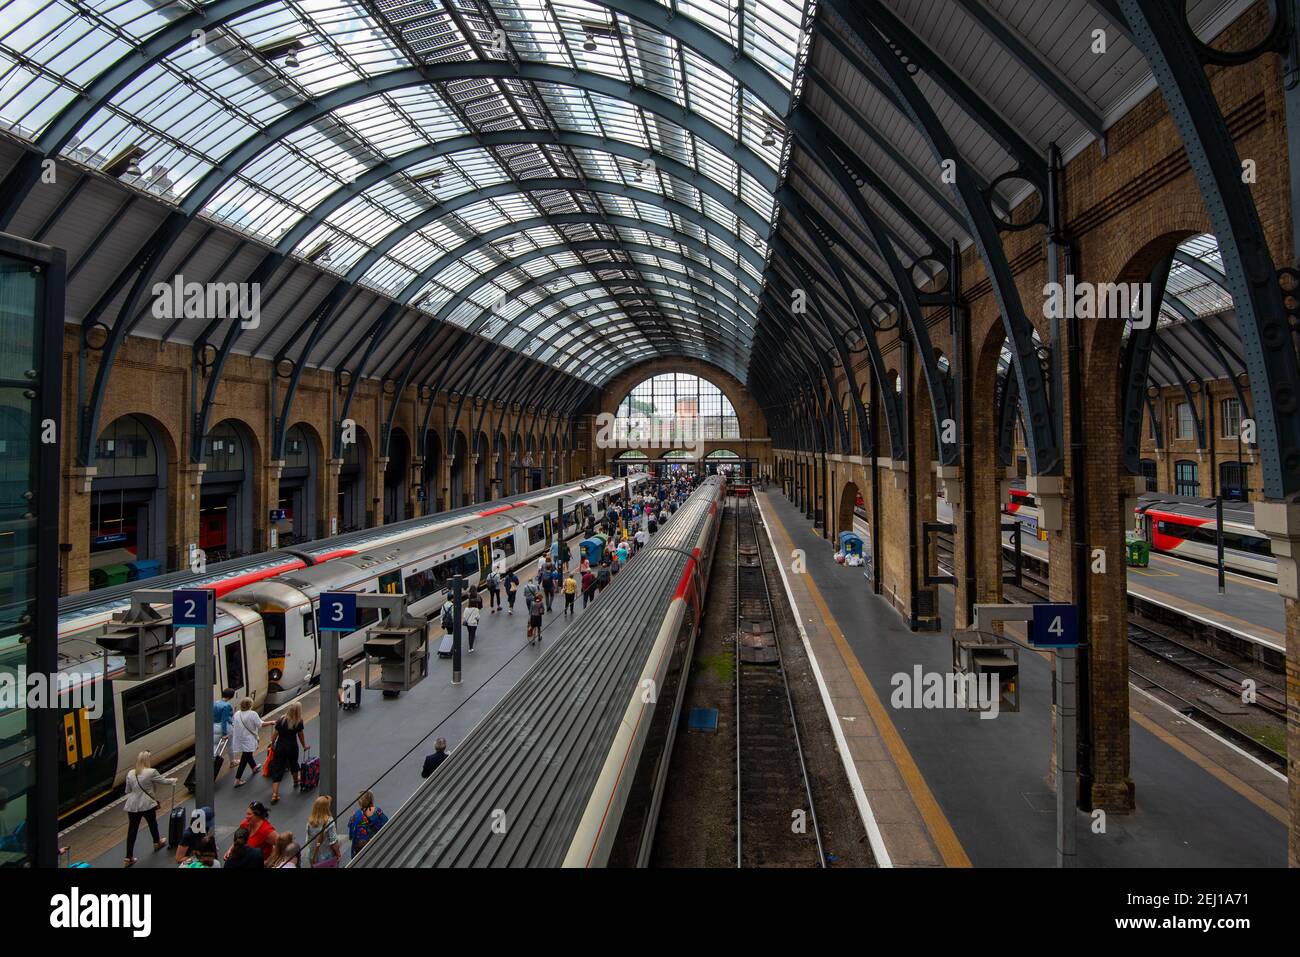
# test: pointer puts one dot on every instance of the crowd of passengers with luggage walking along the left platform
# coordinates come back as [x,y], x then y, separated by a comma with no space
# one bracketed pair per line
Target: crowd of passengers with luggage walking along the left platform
[629,526]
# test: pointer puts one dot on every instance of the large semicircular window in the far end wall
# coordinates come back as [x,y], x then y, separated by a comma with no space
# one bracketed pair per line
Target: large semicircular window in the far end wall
[673,406]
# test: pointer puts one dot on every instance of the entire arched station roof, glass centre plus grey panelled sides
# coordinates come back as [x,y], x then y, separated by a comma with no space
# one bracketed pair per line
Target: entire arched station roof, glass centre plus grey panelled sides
[588,184]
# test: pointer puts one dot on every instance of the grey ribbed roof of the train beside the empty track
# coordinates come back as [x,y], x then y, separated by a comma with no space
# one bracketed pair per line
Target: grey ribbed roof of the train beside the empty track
[539,754]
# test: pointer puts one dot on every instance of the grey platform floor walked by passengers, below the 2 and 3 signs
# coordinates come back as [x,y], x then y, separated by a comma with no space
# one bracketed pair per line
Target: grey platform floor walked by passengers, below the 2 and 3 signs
[382,747]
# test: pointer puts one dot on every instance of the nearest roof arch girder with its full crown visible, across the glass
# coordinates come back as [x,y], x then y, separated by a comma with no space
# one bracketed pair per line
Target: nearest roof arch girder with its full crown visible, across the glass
[310,112]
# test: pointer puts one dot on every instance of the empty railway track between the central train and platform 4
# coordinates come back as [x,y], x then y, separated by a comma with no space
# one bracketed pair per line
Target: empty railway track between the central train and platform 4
[775,819]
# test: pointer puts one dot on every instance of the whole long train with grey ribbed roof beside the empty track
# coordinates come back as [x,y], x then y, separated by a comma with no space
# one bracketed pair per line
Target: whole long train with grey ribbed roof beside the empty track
[577,755]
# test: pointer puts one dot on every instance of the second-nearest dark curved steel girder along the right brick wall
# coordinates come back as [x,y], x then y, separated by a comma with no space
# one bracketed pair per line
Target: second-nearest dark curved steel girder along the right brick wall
[1042,435]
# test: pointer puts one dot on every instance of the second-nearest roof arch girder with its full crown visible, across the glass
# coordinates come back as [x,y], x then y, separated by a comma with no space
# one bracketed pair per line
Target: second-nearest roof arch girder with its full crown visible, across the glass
[337,200]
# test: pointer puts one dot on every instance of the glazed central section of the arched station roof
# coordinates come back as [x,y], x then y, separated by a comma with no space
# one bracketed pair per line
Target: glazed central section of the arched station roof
[396,142]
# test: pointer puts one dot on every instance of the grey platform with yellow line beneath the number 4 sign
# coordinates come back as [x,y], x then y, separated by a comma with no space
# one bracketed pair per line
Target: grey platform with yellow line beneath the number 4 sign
[946,789]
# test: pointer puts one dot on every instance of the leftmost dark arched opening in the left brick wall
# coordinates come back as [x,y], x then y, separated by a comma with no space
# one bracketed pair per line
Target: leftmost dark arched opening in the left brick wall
[128,509]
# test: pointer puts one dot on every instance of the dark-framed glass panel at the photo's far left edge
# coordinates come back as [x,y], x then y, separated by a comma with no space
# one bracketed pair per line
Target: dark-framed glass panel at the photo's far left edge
[32,283]
